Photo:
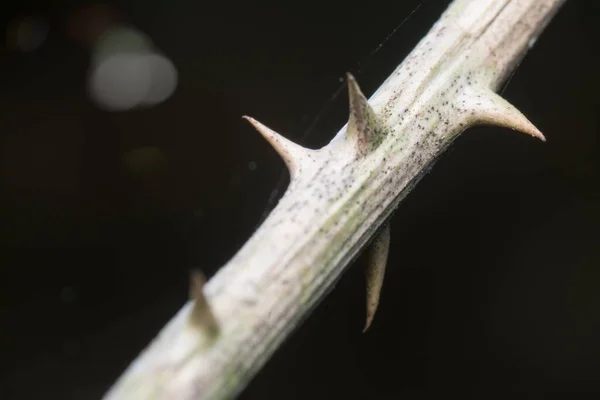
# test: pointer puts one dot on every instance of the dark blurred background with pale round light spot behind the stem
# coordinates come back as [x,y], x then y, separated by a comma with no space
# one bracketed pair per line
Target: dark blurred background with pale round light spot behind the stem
[124,162]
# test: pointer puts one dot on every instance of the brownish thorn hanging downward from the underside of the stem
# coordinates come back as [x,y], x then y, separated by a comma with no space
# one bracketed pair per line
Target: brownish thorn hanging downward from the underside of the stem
[377,260]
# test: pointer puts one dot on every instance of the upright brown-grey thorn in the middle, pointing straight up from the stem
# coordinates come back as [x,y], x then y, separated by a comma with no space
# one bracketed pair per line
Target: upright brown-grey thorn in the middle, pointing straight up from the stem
[363,127]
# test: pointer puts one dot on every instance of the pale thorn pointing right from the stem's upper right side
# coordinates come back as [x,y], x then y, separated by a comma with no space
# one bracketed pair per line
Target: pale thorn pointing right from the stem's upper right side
[490,108]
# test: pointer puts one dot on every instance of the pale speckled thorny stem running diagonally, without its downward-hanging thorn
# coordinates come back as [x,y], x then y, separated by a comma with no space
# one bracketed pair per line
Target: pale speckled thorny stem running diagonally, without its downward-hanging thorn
[338,197]
